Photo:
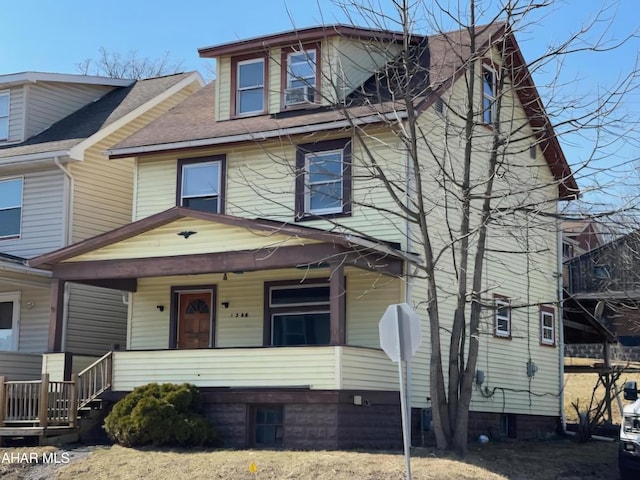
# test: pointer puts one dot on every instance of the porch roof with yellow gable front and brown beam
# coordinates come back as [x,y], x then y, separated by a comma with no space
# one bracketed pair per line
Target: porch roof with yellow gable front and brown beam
[181,241]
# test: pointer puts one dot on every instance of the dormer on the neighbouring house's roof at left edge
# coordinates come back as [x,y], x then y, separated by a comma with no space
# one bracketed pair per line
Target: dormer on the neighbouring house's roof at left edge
[30,102]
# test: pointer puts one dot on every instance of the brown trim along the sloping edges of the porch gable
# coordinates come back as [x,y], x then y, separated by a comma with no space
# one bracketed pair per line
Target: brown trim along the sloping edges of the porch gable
[176,213]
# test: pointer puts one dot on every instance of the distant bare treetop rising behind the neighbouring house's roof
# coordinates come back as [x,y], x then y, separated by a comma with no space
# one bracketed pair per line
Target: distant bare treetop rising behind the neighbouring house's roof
[129,65]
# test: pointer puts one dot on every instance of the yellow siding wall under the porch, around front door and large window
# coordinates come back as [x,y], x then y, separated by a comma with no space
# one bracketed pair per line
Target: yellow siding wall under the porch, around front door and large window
[241,324]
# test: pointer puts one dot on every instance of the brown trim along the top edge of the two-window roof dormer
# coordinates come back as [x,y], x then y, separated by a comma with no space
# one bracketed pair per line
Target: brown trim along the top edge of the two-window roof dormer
[299,35]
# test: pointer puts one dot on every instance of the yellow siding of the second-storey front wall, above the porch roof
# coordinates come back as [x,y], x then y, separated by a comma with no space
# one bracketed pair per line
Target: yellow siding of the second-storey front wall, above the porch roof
[261,183]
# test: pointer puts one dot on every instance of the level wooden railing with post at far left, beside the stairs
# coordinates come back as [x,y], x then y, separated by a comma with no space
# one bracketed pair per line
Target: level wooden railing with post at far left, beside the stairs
[39,403]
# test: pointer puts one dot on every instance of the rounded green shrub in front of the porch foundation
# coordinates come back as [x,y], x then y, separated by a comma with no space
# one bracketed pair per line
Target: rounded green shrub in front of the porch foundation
[165,414]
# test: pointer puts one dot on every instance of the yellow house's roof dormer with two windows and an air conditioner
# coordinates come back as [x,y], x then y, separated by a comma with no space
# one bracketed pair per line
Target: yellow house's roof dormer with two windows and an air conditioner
[296,70]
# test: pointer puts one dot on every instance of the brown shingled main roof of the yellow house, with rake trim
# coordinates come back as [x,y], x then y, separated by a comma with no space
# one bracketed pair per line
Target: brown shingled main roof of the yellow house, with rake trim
[192,123]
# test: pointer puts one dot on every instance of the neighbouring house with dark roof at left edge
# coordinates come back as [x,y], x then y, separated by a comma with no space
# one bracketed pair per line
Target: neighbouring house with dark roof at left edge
[57,187]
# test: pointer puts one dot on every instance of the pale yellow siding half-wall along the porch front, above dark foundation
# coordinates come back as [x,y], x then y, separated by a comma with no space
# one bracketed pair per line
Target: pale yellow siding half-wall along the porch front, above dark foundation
[318,368]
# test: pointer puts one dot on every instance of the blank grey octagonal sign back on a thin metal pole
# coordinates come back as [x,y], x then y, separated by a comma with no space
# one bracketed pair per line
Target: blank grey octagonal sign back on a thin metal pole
[400,338]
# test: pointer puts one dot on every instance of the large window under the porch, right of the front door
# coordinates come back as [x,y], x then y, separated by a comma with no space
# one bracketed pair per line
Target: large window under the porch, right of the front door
[299,314]
